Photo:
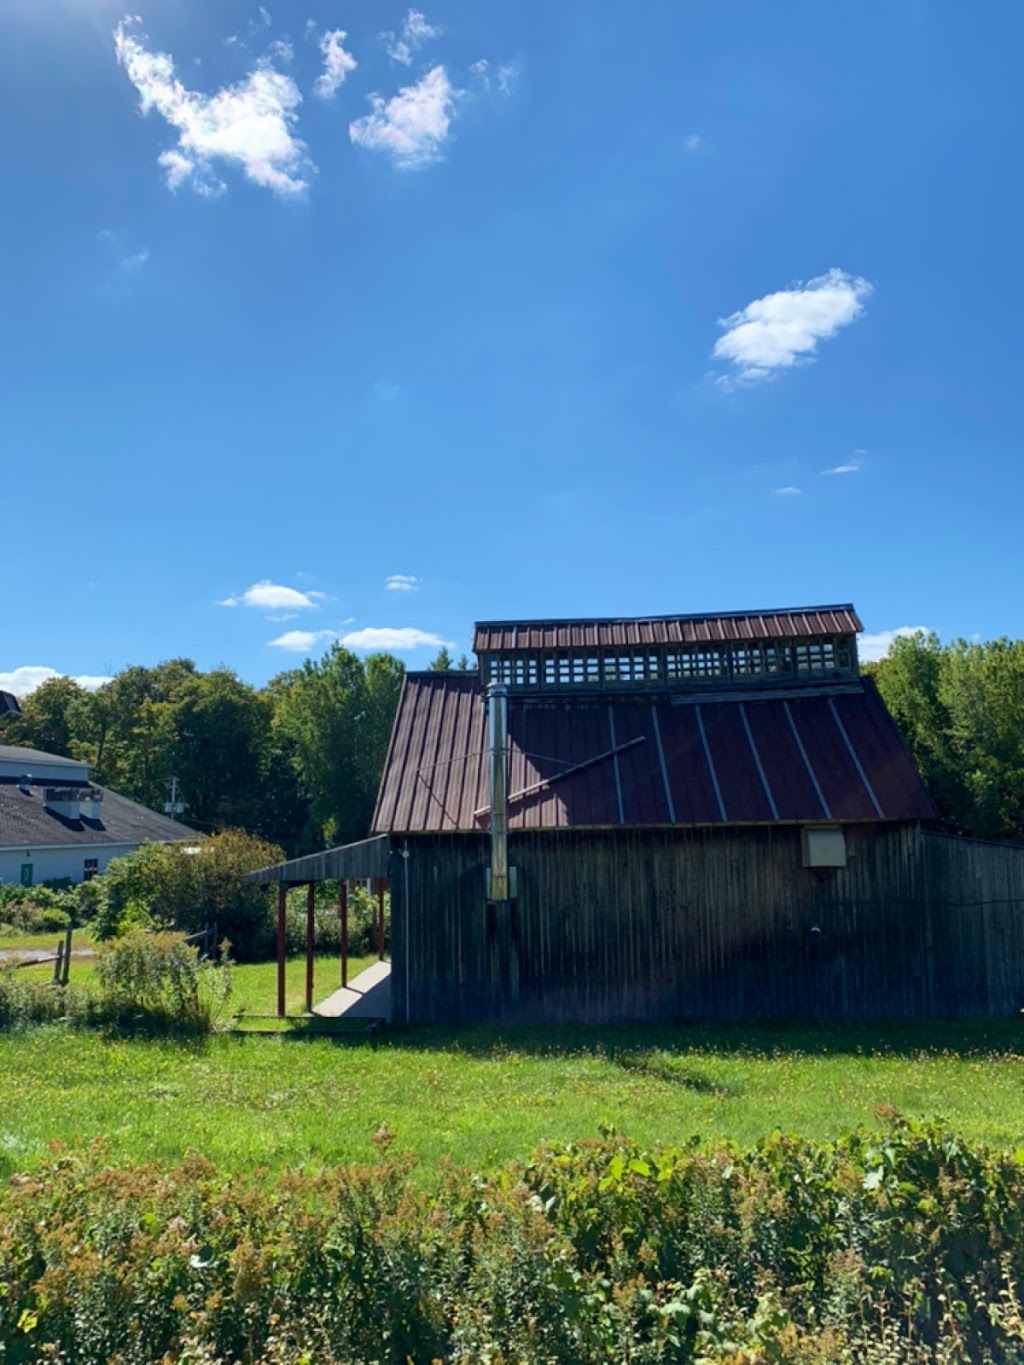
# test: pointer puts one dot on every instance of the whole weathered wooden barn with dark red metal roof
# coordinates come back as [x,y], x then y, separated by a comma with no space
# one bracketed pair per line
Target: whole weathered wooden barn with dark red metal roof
[674,818]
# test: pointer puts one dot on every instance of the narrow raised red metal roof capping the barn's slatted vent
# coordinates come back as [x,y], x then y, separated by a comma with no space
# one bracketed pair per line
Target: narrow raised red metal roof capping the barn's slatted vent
[793,623]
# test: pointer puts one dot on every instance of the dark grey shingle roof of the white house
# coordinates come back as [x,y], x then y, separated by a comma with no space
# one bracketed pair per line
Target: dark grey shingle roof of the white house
[25,822]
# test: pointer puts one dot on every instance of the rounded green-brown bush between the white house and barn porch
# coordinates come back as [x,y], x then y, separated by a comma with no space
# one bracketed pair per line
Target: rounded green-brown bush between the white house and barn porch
[186,887]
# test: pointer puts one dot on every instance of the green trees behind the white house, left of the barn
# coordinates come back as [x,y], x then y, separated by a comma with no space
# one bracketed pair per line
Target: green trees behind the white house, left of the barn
[296,762]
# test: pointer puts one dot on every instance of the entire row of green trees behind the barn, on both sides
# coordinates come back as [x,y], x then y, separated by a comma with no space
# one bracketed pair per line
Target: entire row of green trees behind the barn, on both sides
[298,762]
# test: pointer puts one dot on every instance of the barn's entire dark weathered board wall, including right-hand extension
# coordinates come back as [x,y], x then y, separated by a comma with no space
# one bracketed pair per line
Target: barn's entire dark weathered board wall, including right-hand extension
[712,925]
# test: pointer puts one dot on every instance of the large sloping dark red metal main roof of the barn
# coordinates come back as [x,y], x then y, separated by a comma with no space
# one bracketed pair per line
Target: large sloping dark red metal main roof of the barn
[819,756]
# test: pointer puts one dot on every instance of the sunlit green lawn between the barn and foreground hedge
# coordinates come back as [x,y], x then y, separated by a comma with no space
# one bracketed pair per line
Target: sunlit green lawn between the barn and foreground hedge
[484,1097]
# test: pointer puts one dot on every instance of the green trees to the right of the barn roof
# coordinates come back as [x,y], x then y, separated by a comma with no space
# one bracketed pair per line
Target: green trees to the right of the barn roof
[962,710]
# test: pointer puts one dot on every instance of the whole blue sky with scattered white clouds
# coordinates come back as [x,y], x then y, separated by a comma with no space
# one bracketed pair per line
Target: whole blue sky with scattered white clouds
[551,308]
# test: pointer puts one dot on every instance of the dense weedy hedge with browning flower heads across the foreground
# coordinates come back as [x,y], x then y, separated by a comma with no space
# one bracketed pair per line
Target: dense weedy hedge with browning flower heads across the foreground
[899,1248]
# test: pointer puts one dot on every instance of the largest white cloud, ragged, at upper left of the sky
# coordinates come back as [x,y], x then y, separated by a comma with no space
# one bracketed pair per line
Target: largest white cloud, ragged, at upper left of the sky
[251,125]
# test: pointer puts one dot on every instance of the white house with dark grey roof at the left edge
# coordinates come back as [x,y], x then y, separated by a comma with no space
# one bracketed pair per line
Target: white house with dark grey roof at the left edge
[55,824]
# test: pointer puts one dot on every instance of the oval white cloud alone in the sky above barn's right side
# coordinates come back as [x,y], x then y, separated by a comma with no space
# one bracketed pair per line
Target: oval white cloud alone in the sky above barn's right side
[783,330]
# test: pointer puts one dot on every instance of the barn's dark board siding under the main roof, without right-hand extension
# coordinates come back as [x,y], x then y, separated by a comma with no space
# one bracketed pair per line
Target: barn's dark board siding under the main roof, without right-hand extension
[662,925]
